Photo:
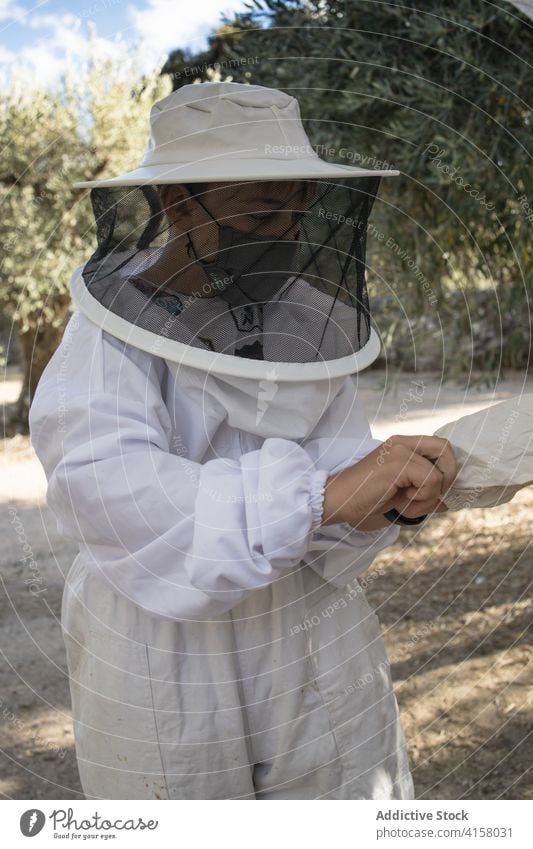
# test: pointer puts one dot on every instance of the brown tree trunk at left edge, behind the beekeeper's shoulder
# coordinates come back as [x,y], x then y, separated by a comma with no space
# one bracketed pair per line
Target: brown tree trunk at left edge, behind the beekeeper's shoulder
[37,344]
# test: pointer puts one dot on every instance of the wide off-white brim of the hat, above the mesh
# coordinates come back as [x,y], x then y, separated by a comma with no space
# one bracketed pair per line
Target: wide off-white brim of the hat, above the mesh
[229,170]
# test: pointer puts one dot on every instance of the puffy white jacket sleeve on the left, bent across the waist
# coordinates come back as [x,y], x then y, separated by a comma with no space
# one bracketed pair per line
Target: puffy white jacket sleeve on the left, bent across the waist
[182,540]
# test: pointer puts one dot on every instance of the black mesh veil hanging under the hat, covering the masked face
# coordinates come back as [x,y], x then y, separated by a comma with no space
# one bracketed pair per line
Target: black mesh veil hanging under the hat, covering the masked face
[266,270]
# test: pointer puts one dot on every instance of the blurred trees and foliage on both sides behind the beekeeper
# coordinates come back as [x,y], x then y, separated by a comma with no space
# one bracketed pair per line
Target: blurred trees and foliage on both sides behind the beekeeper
[442,92]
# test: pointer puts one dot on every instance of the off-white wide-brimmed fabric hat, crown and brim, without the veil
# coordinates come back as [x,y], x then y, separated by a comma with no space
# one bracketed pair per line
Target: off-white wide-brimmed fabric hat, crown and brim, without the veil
[216,132]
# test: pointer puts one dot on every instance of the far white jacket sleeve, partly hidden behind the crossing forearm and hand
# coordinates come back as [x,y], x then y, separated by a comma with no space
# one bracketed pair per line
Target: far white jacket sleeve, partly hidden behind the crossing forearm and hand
[340,553]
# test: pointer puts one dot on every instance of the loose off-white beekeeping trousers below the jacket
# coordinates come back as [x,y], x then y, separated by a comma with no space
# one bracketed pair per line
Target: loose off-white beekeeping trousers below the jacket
[288,696]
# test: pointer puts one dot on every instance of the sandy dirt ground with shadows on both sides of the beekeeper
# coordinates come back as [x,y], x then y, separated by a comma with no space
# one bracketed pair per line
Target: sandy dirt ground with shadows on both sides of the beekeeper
[454,600]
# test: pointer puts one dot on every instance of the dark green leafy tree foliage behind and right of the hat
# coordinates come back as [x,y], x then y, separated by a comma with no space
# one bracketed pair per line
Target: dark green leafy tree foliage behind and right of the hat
[441,91]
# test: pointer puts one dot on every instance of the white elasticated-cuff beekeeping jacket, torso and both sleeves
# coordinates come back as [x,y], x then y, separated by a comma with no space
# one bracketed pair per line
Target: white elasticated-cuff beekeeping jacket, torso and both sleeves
[173,501]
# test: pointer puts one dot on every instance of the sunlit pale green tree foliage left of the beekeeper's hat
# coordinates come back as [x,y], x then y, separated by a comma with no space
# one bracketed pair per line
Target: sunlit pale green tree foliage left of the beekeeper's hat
[92,123]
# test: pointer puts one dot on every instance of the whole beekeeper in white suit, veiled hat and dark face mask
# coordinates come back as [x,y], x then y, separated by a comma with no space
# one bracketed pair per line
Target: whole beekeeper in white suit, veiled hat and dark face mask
[204,445]
